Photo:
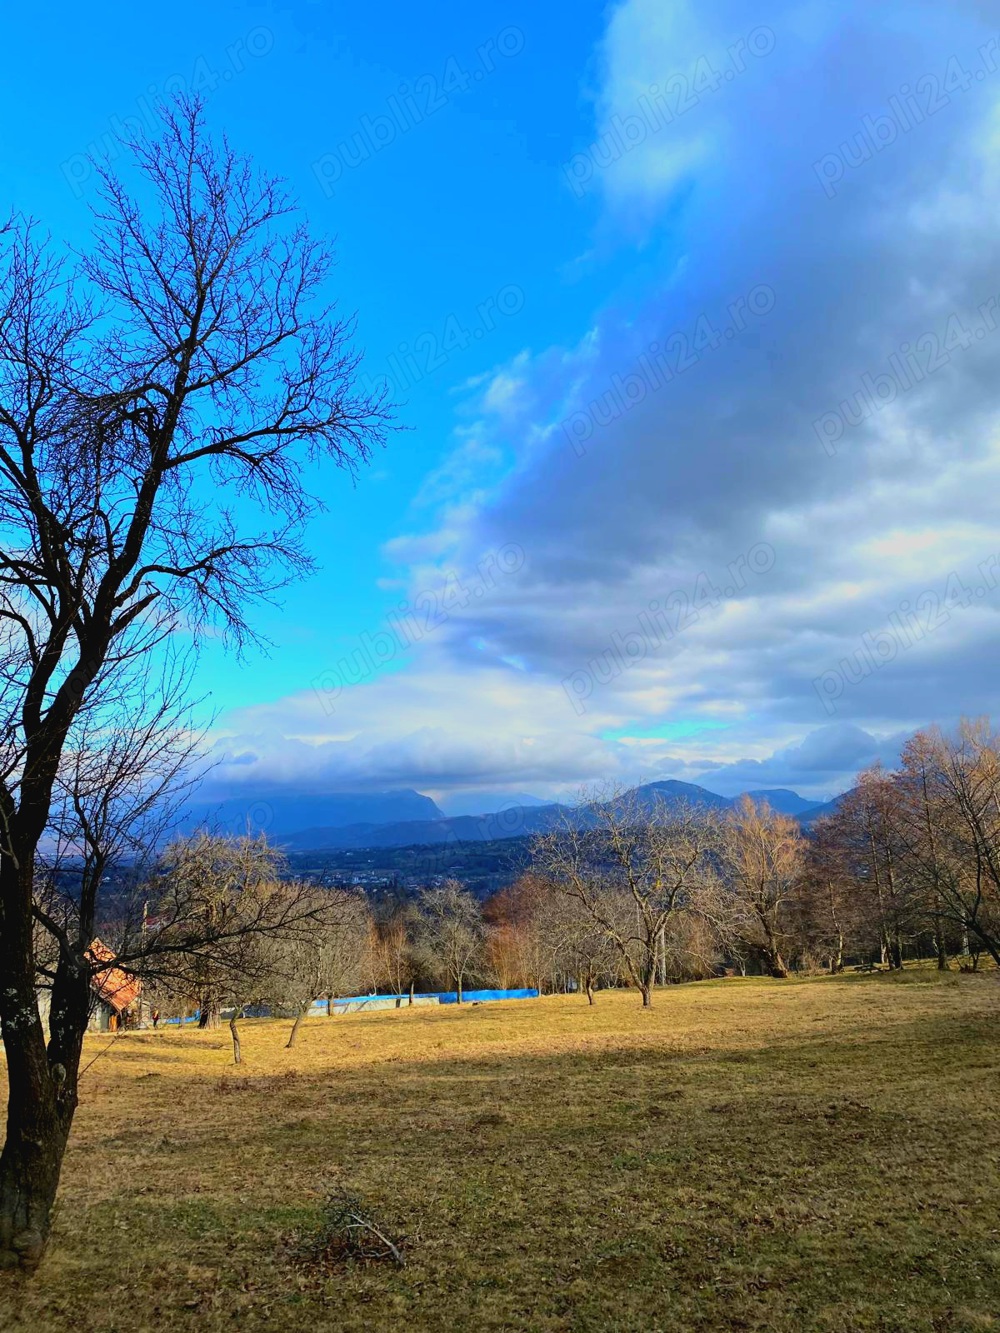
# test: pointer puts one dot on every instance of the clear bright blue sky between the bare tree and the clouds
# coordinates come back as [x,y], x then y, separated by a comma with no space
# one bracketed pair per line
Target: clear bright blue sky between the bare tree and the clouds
[467,205]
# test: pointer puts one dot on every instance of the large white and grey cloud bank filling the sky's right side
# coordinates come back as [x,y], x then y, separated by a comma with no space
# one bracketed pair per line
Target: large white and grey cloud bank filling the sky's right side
[759,489]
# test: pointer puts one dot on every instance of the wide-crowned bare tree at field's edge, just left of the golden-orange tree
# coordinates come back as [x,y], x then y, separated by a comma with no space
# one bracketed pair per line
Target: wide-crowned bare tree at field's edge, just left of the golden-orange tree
[631,866]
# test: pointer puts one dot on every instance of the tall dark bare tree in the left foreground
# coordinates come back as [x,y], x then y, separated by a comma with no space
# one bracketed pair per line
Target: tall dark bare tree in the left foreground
[186,358]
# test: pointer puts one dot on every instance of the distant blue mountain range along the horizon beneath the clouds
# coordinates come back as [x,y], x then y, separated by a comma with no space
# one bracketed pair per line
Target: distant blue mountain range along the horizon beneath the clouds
[345,820]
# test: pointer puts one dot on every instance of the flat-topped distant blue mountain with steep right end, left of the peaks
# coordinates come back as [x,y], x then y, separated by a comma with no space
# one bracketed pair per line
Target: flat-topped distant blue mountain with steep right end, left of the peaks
[279,812]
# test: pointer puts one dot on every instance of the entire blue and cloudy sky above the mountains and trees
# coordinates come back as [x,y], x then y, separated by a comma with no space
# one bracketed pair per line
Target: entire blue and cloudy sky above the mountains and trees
[691,314]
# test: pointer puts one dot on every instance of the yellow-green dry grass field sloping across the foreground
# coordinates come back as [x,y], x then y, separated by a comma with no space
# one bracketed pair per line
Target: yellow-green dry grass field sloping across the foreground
[750,1155]
